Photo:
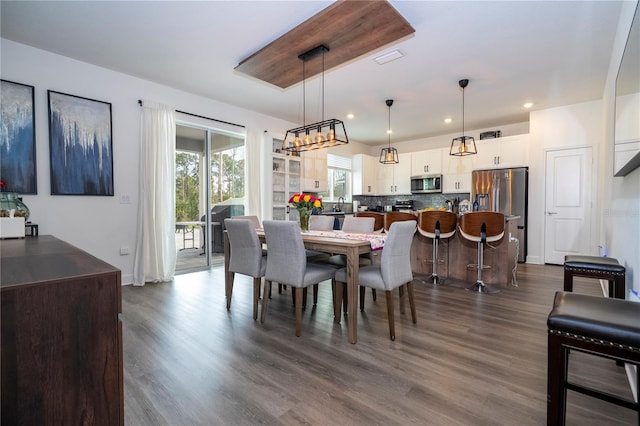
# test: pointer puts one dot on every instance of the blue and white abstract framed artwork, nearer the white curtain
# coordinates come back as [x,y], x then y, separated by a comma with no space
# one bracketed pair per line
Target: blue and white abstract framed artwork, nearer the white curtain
[80,145]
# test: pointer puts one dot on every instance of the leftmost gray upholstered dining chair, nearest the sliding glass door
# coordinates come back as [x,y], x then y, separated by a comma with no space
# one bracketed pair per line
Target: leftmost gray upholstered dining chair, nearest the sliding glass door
[245,258]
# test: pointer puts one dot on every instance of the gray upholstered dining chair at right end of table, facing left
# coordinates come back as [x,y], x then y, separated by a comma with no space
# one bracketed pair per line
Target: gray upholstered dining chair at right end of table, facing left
[393,272]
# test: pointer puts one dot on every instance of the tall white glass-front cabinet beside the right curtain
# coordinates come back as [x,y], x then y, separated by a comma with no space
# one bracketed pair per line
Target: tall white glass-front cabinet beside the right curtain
[286,181]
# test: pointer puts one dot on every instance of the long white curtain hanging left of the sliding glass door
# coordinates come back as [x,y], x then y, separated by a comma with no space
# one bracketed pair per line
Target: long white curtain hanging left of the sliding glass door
[155,257]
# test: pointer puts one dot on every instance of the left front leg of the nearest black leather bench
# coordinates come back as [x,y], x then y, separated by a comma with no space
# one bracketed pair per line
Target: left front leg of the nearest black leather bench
[556,381]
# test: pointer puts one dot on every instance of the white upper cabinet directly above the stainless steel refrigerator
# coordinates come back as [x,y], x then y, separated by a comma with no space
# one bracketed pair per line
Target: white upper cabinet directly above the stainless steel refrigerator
[508,151]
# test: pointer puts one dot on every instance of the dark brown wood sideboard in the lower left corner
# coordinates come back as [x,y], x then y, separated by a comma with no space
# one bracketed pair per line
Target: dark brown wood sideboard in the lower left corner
[61,337]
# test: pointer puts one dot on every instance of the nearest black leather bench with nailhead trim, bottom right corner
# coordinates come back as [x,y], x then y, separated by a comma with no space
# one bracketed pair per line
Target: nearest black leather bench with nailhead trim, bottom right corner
[601,326]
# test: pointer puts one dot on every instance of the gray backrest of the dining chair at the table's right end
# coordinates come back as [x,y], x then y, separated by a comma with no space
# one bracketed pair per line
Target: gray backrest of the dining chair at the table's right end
[395,261]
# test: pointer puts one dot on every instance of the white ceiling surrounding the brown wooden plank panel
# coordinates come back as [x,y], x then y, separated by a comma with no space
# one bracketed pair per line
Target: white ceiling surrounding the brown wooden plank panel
[551,53]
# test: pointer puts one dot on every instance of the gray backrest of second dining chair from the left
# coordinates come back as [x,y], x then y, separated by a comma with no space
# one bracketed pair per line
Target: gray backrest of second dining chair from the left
[287,259]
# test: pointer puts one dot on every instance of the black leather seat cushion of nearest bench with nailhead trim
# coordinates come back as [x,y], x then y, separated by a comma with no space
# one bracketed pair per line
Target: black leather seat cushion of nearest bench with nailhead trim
[601,318]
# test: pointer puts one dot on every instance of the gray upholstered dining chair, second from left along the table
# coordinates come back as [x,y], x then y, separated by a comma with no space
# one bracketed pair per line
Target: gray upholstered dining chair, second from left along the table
[287,264]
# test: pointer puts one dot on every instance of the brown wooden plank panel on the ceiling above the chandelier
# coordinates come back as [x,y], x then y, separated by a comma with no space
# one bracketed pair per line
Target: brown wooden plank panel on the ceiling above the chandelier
[348,28]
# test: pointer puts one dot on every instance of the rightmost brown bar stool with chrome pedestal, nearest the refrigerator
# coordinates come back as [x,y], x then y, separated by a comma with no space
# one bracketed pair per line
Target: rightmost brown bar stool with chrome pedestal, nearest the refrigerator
[482,227]
